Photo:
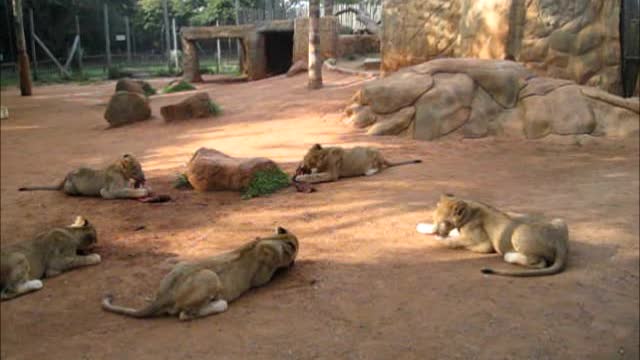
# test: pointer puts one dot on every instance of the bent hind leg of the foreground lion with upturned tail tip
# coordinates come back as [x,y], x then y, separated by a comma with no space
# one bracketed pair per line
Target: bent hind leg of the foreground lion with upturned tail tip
[194,296]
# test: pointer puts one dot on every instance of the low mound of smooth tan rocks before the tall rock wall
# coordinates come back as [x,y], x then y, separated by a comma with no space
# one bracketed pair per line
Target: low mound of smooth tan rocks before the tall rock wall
[477,98]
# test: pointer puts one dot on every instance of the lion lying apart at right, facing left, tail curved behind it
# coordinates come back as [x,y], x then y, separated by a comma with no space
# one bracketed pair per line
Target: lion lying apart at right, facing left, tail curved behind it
[521,239]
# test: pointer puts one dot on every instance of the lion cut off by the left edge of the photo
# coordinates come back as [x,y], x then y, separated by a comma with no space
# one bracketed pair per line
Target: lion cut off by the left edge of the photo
[48,254]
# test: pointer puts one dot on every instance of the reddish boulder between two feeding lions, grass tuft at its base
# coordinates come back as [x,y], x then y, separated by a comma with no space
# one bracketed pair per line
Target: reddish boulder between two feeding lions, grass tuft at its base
[212,170]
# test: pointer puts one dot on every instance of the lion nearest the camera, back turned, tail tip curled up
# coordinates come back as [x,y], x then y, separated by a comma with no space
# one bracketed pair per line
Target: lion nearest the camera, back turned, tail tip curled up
[202,288]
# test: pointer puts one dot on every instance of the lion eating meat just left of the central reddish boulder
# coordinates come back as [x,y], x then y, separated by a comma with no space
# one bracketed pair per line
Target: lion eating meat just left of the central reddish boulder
[113,182]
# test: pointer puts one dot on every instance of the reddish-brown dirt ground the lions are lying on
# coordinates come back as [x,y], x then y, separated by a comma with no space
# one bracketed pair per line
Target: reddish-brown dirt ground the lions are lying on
[366,285]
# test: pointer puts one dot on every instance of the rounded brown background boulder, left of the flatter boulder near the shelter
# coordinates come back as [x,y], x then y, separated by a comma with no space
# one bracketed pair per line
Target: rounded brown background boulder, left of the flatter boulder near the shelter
[127,107]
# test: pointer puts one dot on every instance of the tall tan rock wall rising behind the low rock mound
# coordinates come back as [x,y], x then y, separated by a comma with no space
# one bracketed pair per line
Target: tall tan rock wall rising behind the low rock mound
[576,40]
